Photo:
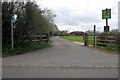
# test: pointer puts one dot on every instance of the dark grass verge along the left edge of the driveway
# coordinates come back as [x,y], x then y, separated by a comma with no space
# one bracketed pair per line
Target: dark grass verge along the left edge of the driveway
[20,50]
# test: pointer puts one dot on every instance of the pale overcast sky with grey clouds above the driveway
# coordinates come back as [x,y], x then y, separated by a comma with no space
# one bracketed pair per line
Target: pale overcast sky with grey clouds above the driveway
[81,15]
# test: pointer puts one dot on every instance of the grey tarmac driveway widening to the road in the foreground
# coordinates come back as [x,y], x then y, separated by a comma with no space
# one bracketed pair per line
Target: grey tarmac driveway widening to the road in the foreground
[63,59]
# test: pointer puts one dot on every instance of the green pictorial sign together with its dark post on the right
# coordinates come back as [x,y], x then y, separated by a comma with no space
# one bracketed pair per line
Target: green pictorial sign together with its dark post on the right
[106,14]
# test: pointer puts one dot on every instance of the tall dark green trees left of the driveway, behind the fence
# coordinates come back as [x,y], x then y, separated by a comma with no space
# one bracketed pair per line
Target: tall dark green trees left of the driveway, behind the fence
[31,20]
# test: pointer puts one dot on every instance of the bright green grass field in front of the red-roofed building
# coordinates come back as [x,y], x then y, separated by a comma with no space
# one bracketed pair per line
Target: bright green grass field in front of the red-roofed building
[73,38]
